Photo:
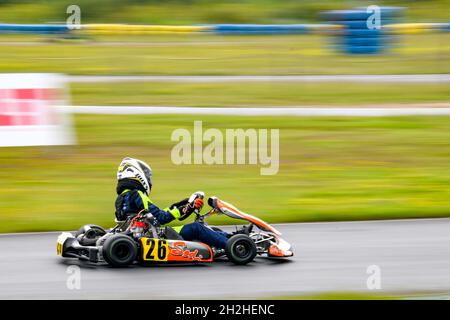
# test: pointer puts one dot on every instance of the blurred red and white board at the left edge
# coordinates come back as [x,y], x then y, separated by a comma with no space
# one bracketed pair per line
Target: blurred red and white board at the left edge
[29,113]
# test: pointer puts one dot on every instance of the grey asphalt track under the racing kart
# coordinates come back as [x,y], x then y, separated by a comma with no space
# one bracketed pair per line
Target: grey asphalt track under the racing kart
[413,256]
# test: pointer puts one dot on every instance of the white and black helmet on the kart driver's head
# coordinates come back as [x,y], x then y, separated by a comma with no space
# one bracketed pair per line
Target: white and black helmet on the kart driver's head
[137,170]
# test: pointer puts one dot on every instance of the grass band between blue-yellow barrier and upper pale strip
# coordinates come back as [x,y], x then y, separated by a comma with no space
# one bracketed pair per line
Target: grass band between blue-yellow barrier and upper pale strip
[216,55]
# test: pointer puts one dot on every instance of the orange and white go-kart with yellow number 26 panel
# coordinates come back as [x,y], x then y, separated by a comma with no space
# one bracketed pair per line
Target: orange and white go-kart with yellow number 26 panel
[141,239]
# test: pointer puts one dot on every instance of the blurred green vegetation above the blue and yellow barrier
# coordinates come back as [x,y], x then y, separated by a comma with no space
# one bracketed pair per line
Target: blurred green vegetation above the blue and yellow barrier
[201,11]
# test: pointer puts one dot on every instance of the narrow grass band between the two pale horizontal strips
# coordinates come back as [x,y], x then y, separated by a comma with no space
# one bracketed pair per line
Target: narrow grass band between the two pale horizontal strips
[256,94]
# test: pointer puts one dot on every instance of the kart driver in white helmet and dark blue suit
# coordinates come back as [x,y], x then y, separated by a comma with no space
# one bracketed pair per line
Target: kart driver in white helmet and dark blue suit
[134,183]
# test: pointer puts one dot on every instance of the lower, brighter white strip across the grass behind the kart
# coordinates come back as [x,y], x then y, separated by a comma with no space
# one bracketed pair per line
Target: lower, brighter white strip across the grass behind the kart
[281,111]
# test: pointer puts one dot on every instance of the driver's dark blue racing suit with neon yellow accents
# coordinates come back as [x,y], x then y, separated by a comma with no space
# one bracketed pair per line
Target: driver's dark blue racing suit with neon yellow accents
[134,200]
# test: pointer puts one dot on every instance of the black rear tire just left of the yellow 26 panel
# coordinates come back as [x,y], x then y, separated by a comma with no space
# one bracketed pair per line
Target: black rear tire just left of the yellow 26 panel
[119,250]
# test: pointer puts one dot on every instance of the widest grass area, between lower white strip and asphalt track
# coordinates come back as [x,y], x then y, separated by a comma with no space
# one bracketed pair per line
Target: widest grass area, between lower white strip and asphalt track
[330,169]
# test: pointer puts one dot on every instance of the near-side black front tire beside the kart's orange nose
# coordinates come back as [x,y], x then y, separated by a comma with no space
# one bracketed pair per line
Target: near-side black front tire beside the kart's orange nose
[240,249]
